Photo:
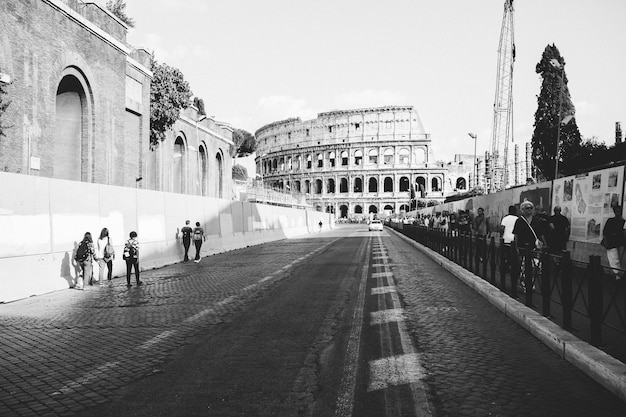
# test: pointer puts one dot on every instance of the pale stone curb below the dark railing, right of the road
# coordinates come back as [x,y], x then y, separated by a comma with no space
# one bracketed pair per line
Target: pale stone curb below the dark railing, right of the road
[603,368]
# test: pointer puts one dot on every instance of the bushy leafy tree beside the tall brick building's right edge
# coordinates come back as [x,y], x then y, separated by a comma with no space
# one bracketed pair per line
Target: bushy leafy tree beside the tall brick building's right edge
[169,94]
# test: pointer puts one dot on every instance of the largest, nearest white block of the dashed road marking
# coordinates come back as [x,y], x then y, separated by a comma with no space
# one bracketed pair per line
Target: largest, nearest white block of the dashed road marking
[395,370]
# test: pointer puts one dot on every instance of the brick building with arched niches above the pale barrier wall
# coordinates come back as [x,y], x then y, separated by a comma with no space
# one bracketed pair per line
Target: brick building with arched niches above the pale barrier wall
[80,105]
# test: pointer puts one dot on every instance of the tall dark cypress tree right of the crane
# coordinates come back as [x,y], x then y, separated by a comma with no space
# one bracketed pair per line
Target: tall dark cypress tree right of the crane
[551,68]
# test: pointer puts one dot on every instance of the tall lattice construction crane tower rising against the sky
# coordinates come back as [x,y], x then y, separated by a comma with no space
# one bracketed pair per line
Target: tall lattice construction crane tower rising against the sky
[503,106]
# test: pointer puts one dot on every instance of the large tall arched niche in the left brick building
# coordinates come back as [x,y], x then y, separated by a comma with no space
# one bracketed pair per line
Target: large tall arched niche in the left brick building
[73,141]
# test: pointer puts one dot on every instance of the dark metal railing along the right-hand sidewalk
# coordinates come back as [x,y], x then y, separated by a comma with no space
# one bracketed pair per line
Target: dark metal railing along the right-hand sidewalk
[582,297]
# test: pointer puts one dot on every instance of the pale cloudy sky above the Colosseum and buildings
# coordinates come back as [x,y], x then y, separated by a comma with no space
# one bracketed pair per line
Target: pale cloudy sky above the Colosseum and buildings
[255,62]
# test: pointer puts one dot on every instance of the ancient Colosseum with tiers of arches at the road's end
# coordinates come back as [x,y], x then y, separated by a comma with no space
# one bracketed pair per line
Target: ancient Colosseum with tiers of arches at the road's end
[352,162]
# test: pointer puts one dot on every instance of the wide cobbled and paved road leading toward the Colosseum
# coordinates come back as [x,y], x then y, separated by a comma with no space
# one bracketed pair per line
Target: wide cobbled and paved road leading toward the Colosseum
[341,323]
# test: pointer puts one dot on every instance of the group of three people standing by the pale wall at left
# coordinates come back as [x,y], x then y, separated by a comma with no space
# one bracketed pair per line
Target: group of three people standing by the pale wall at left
[103,253]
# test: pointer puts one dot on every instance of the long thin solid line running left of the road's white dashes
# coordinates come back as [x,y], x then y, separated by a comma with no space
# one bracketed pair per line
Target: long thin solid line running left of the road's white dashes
[345,398]
